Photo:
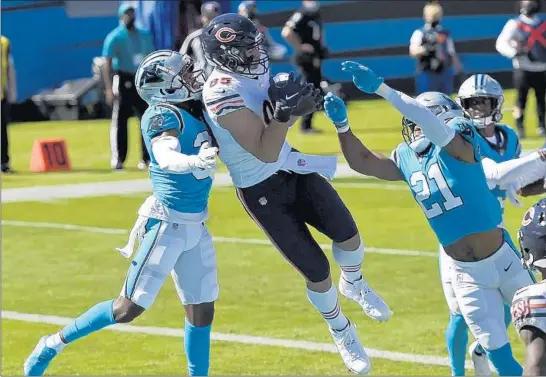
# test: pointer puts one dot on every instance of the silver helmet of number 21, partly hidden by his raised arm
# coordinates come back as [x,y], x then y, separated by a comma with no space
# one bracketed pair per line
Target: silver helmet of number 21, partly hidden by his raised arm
[442,106]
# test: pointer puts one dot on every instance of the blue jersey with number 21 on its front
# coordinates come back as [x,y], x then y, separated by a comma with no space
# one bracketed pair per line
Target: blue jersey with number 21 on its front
[453,195]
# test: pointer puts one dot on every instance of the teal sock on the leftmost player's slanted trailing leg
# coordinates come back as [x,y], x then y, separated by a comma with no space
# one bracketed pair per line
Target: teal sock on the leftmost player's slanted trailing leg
[96,318]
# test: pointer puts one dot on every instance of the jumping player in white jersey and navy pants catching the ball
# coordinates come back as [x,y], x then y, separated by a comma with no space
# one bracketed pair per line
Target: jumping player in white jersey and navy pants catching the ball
[281,189]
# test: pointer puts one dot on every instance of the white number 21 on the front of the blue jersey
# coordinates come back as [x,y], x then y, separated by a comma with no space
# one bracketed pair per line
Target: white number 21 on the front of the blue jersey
[434,173]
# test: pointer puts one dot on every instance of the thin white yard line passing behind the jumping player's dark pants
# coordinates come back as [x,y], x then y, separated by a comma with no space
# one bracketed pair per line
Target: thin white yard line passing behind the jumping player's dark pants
[249,241]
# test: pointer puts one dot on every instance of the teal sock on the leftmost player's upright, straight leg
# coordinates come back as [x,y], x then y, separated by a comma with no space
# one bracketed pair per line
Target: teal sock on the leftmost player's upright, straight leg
[197,346]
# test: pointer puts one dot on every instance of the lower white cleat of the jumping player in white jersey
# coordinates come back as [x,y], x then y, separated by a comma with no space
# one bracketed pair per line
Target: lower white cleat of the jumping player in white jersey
[351,350]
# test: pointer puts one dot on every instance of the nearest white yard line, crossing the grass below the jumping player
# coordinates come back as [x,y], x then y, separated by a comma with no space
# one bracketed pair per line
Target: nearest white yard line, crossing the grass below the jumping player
[244,339]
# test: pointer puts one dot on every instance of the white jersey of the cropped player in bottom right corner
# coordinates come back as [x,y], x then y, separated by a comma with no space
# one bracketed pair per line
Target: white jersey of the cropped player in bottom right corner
[529,306]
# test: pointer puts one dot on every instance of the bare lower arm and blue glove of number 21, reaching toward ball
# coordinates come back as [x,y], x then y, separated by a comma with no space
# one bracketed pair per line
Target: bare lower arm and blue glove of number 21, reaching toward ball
[358,156]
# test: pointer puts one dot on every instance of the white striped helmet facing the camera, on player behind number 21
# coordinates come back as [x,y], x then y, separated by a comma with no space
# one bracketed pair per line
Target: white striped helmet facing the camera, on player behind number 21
[481,96]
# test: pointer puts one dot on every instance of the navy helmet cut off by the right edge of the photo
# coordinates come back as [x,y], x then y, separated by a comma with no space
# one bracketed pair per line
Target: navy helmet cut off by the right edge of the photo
[532,236]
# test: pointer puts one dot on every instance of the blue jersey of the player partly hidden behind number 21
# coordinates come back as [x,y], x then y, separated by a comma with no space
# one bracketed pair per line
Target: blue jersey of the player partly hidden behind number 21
[509,149]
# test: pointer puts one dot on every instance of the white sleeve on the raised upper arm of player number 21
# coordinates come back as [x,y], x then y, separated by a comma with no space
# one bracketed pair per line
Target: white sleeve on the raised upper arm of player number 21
[433,128]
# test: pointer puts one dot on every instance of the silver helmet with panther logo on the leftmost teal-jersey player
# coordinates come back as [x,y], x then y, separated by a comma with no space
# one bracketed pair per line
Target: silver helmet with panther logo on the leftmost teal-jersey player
[168,76]
